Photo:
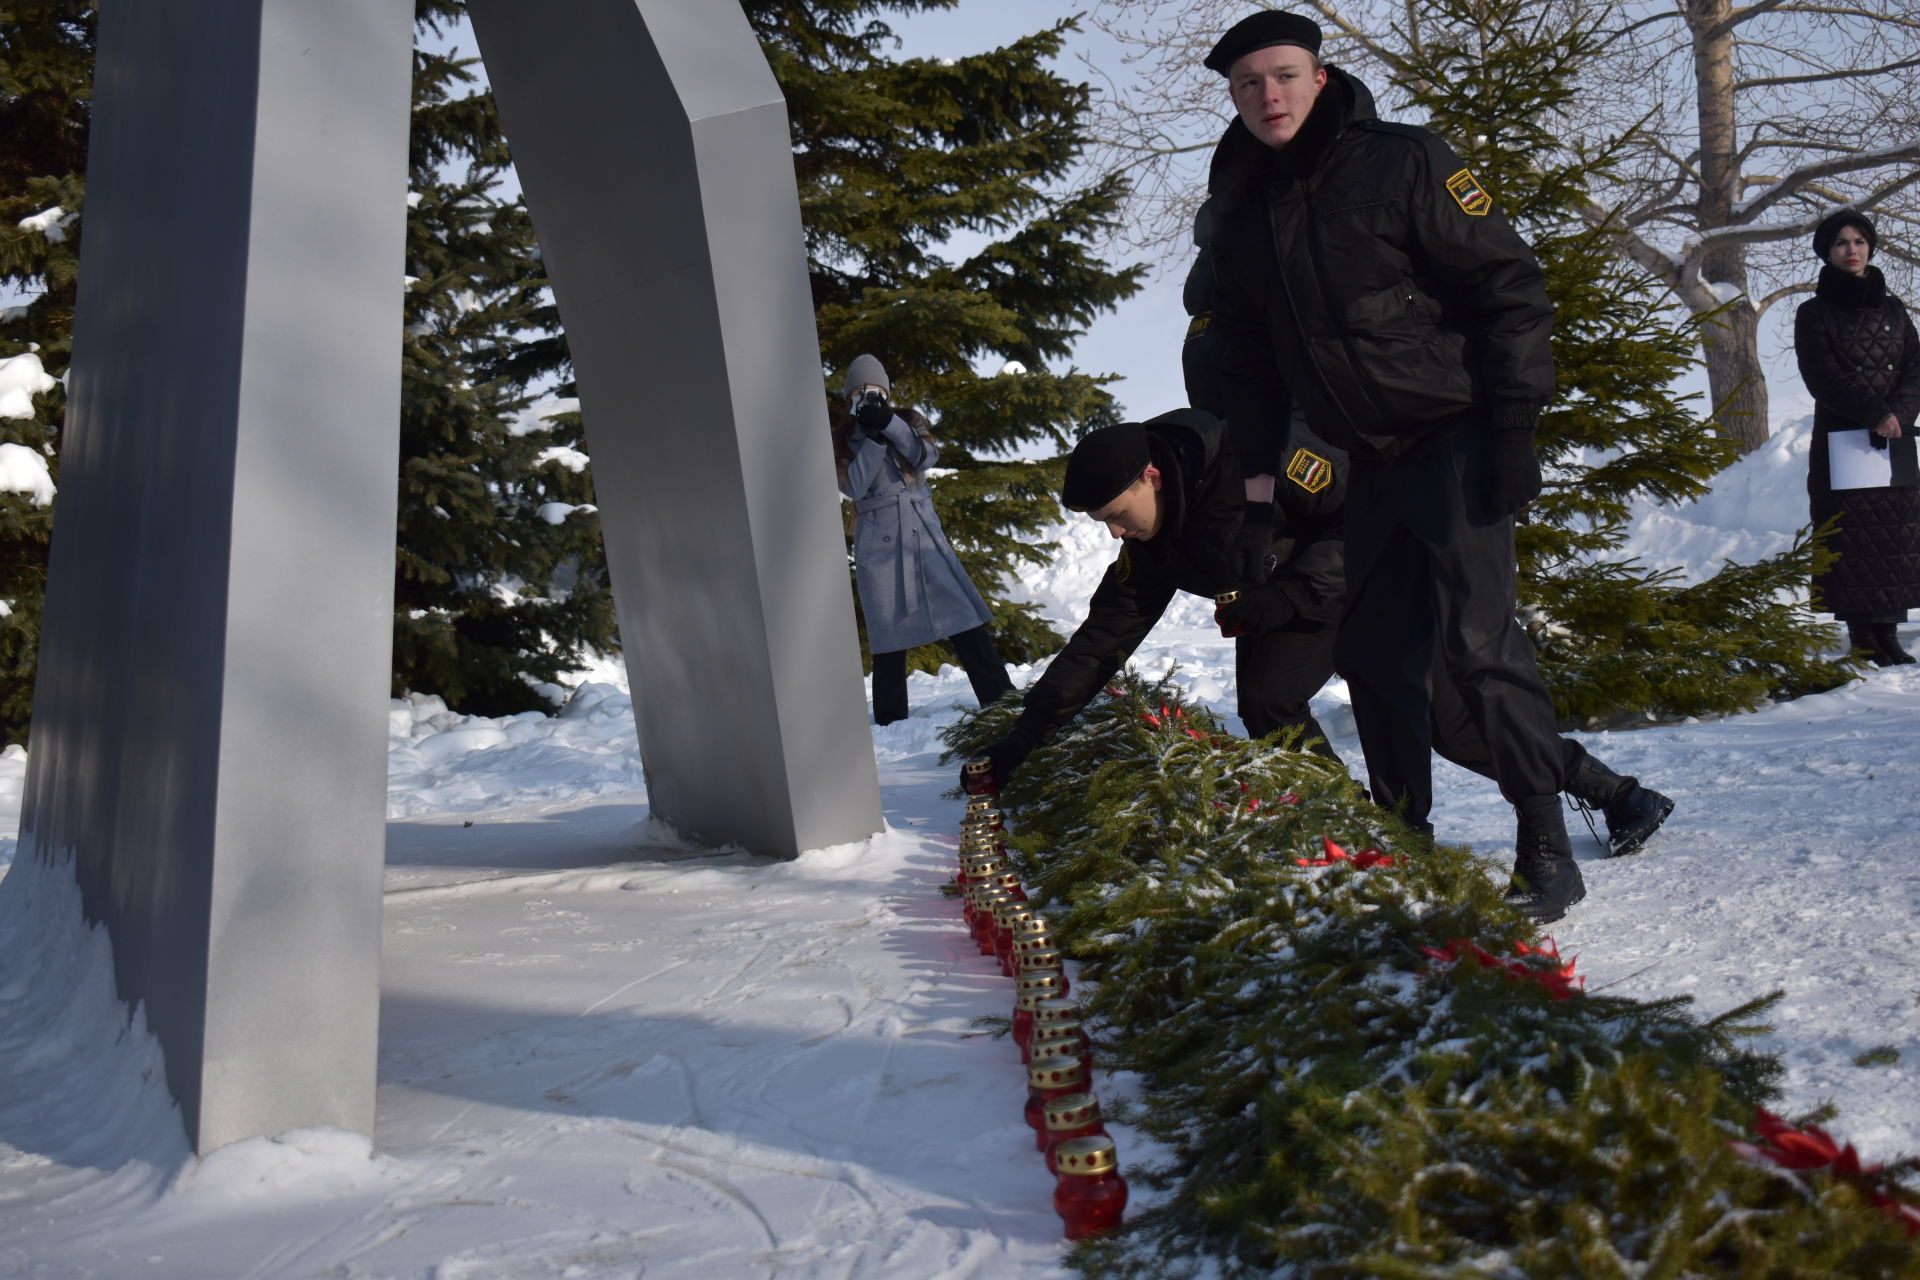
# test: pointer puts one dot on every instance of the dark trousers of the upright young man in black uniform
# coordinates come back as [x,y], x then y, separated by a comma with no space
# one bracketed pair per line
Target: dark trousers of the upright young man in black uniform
[1426,571]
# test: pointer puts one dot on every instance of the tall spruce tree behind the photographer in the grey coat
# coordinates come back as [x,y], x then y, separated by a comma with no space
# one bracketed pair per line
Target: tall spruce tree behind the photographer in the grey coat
[944,241]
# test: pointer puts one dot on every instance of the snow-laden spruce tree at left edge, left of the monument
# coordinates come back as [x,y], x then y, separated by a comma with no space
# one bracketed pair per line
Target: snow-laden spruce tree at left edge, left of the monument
[47,64]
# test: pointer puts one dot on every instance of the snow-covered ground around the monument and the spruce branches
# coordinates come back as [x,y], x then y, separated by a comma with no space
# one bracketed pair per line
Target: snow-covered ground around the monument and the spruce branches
[612,1056]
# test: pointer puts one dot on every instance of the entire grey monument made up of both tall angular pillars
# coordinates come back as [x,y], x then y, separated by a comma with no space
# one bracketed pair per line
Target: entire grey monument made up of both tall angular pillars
[210,719]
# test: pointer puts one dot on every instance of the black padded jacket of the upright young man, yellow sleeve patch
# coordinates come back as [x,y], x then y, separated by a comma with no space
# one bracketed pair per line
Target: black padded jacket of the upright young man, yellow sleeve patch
[1366,275]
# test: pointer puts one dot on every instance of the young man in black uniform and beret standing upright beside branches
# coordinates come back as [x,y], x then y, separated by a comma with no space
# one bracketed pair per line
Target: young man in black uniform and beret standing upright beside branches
[1368,279]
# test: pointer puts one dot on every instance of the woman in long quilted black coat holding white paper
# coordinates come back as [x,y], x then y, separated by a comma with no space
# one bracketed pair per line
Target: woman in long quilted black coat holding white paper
[1861,360]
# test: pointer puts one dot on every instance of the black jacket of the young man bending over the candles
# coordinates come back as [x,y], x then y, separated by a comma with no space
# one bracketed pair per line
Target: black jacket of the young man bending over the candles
[1207,496]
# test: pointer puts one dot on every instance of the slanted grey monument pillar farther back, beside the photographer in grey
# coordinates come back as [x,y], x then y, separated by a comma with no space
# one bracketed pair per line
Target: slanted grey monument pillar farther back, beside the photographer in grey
[654,149]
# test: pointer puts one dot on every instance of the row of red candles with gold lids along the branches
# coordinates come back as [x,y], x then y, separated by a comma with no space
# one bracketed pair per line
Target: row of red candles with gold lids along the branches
[1063,1112]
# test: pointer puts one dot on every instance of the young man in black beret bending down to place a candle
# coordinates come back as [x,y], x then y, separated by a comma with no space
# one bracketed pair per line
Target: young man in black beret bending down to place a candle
[1174,496]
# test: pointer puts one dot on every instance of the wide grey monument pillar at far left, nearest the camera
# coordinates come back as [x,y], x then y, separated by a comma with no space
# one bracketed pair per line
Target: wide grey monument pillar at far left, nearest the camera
[210,717]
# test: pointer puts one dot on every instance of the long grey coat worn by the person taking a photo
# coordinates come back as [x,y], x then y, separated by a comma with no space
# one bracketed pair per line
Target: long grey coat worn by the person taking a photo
[913,588]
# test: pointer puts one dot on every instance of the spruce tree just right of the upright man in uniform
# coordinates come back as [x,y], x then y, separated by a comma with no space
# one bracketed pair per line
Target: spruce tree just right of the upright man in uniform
[1618,640]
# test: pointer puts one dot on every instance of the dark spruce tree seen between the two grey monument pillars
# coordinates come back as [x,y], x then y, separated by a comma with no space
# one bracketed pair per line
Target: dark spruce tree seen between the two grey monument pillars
[500,569]
